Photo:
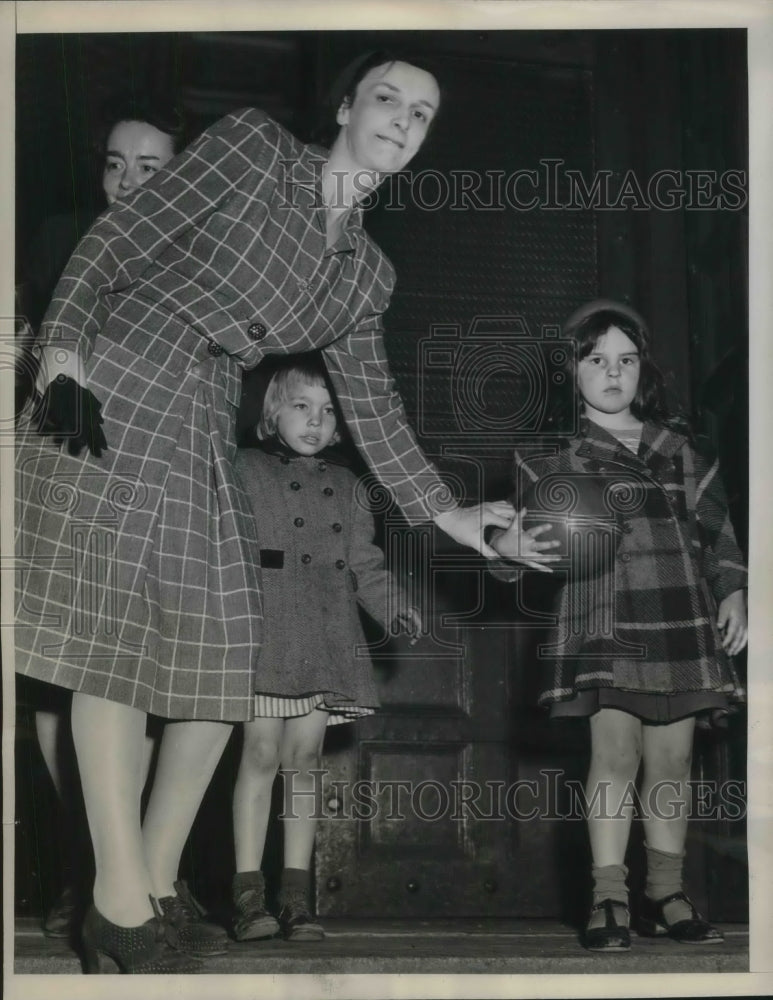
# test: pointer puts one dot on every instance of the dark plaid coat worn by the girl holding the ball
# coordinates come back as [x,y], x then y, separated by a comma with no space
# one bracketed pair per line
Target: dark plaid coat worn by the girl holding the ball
[648,624]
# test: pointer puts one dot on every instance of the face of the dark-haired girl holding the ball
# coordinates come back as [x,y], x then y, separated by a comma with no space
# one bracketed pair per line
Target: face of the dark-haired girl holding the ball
[609,377]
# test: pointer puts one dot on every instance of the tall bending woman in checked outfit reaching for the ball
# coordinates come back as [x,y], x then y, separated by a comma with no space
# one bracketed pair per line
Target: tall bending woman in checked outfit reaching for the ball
[139,585]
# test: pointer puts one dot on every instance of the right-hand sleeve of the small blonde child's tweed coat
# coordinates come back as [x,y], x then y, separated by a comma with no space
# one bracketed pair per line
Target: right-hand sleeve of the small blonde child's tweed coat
[378,591]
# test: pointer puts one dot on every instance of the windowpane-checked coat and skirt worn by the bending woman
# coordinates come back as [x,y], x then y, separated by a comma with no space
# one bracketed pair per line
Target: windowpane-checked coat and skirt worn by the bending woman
[138,571]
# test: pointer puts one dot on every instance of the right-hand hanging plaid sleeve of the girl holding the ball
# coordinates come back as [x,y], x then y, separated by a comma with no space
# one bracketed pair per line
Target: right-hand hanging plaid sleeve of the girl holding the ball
[723,564]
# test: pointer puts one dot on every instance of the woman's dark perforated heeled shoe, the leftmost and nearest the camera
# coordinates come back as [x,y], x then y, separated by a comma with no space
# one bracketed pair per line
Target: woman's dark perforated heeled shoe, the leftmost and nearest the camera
[107,948]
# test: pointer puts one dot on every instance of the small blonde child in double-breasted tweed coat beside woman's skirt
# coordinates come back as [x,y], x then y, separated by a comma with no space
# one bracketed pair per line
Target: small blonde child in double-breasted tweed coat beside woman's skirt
[318,563]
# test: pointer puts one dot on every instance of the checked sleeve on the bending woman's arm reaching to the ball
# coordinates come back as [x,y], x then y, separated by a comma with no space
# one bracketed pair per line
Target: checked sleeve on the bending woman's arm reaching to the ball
[376,418]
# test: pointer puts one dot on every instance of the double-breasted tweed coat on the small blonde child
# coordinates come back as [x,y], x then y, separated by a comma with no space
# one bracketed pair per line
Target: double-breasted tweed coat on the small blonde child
[318,563]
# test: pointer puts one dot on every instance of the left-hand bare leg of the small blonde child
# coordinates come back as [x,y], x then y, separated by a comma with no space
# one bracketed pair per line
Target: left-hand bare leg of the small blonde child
[252,792]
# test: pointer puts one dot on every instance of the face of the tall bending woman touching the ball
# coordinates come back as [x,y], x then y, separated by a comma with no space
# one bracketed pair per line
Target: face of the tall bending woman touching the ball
[387,121]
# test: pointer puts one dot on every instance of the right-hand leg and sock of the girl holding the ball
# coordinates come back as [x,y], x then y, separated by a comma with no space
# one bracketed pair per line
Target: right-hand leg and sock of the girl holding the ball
[665,797]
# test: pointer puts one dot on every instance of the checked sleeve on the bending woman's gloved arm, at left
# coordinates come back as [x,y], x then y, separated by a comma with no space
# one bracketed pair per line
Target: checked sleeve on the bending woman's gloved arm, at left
[133,233]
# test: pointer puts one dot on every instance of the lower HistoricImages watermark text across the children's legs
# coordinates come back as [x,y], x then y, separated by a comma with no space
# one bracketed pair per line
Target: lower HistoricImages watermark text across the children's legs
[551,797]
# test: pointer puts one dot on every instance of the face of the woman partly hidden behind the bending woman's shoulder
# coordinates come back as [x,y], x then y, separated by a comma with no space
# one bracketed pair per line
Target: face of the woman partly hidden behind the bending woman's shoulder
[135,151]
